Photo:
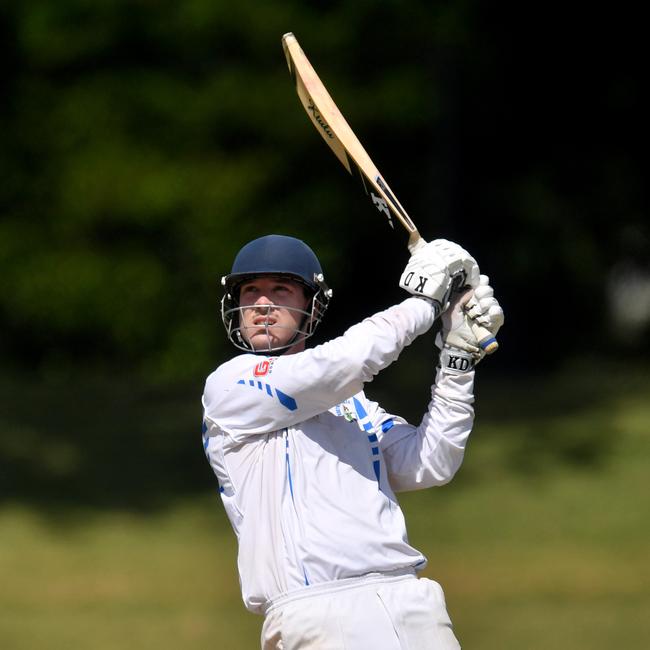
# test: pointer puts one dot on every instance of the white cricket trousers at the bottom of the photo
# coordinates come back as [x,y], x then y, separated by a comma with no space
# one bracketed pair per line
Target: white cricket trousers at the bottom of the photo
[374,612]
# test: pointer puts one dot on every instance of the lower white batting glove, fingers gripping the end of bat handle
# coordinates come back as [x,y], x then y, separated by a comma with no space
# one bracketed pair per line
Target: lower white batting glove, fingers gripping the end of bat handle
[459,346]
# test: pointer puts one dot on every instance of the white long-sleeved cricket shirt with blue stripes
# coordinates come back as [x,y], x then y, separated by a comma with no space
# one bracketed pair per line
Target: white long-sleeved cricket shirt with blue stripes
[308,466]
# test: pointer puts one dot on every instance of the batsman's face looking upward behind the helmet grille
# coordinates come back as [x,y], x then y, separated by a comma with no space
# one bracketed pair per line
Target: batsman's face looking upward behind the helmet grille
[273,311]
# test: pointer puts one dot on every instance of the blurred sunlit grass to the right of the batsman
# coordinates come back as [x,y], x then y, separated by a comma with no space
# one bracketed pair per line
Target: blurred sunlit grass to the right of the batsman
[558,558]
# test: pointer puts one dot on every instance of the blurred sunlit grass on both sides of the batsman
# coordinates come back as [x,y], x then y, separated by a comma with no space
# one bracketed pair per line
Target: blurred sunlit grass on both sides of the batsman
[539,542]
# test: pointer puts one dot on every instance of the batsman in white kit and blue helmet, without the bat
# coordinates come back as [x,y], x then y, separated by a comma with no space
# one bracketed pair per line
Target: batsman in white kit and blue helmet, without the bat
[309,467]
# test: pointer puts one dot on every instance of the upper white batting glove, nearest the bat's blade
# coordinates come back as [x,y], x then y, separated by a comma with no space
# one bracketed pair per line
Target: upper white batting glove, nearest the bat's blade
[437,267]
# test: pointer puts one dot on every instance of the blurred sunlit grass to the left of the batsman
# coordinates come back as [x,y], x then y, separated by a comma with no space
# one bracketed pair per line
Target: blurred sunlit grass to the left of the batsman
[122,581]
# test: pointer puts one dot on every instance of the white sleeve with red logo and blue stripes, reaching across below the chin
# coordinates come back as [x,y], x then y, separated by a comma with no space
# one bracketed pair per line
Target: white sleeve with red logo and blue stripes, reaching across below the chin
[252,394]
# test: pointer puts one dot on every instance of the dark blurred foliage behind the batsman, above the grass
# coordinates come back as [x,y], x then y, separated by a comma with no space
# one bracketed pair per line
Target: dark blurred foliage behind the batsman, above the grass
[143,143]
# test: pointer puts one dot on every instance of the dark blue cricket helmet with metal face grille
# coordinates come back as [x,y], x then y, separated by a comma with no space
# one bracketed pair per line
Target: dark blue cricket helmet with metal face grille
[282,256]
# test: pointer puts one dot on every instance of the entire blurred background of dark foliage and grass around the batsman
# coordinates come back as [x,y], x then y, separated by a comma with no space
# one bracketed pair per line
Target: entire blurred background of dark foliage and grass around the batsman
[144,142]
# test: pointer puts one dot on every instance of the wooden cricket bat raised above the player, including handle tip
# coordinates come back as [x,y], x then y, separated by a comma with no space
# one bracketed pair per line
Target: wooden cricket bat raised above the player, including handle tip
[335,130]
